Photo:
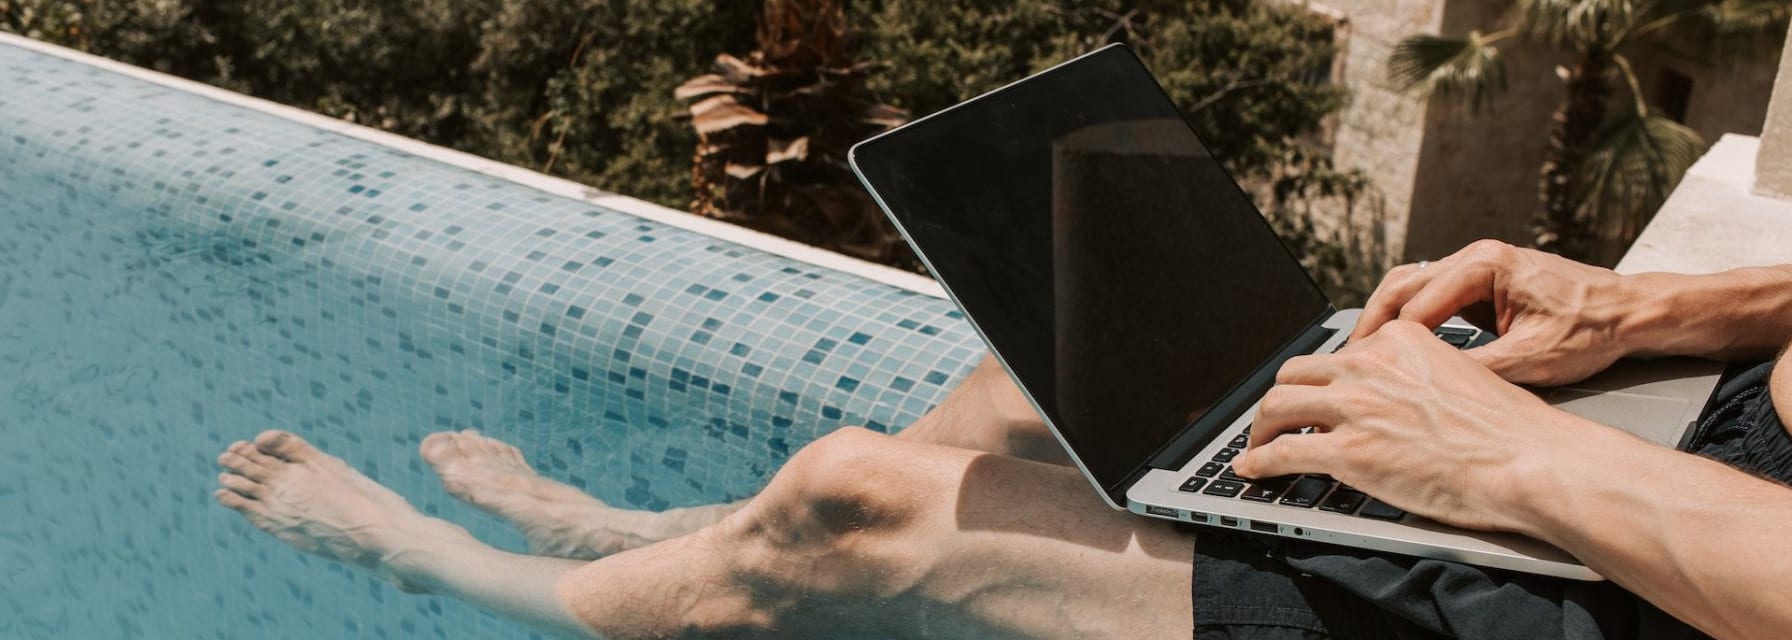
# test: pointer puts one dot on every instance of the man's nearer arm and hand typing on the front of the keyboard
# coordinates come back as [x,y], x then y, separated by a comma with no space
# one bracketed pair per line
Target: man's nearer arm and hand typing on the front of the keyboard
[1420,426]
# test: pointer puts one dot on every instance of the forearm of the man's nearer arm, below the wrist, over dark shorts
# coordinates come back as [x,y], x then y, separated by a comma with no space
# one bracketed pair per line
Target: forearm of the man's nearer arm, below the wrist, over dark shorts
[1698,539]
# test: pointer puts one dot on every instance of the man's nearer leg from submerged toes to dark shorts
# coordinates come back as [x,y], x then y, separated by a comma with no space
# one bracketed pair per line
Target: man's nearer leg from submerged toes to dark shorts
[859,532]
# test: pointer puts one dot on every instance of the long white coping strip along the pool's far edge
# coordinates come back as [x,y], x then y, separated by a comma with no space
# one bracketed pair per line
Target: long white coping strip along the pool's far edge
[508,173]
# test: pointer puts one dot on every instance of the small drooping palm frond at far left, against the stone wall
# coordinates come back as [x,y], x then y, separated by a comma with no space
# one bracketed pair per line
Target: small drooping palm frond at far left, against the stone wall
[1467,69]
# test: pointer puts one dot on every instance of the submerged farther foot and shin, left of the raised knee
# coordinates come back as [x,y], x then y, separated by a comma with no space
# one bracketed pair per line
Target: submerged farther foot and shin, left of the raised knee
[556,521]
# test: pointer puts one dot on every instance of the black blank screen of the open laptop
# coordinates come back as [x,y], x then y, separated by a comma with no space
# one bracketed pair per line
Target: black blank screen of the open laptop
[1103,252]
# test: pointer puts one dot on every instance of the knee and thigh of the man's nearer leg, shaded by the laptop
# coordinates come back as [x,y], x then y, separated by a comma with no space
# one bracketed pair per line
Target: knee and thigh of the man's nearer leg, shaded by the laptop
[979,546]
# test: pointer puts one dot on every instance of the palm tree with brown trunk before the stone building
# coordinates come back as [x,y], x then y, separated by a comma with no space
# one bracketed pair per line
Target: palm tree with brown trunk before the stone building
[1610,166]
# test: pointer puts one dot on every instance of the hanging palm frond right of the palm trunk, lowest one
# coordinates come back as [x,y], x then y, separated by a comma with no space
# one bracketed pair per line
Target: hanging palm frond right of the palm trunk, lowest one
[1635,162]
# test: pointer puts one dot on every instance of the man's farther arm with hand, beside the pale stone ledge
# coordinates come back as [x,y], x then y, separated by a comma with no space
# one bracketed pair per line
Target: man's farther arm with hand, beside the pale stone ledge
[1562,322]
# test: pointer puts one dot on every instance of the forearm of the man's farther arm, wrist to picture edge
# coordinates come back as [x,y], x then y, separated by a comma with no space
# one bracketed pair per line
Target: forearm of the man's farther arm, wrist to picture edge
[1732,315]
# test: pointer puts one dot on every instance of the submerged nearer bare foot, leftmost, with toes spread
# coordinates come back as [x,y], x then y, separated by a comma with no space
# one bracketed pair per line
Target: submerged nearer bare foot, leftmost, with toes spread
[318,505]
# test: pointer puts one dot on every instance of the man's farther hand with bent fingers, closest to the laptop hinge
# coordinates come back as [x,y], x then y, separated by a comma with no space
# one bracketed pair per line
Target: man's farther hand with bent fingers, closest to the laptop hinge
[1558,320]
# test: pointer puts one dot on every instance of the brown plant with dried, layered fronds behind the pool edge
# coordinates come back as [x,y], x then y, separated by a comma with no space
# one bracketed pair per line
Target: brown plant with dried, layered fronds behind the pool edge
[775,128]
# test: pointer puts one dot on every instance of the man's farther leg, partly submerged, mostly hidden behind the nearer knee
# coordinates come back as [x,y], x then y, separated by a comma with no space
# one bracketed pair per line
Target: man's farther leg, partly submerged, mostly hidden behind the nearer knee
[985,413]
